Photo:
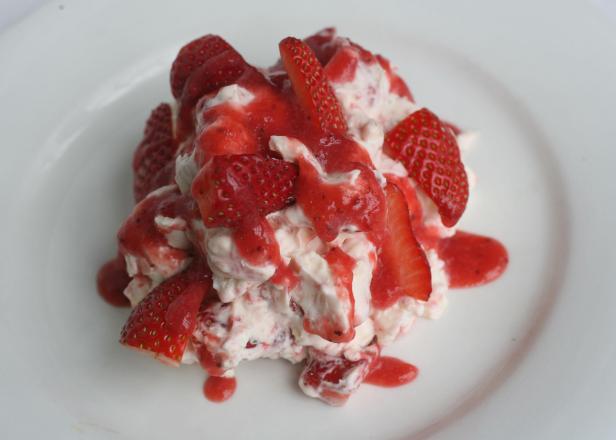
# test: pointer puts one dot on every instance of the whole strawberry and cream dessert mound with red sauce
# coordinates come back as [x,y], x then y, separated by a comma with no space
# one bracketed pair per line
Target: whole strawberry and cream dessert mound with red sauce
[306,212]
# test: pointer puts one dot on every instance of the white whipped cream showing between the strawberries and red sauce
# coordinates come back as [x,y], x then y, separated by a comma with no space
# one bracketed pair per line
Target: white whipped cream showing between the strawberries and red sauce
[264,317]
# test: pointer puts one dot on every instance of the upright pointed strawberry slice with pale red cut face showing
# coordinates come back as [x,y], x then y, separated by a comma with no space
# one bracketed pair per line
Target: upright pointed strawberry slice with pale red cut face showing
[402,268]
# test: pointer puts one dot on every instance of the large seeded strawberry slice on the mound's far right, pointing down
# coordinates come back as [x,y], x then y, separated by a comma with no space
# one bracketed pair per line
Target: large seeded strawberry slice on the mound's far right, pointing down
[431,155]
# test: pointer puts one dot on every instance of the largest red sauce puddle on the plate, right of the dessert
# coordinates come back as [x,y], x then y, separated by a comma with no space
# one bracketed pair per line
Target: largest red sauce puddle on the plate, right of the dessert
[472,260]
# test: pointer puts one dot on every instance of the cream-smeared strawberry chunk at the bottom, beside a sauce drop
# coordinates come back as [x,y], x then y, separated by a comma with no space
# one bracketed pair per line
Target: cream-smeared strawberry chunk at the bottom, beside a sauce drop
[334,378]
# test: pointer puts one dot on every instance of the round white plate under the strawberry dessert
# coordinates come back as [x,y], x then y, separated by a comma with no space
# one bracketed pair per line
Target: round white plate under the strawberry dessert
[530,356]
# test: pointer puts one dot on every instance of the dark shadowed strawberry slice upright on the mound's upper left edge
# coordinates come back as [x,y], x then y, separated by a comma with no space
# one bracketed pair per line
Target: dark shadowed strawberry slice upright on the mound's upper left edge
[153,159]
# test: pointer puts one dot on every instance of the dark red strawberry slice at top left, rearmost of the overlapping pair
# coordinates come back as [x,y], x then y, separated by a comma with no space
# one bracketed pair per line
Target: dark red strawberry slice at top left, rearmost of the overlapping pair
[192,56]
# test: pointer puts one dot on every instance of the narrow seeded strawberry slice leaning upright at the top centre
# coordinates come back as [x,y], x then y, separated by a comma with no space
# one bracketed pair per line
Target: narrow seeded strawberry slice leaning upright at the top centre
[310,84]
